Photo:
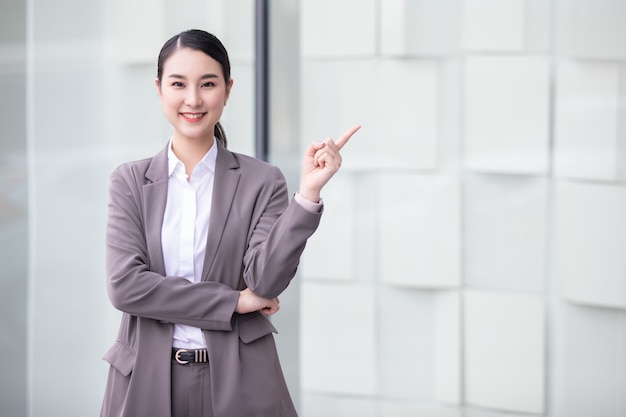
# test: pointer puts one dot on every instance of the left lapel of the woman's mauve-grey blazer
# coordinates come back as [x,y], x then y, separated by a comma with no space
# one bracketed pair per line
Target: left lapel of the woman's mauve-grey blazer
[155,198]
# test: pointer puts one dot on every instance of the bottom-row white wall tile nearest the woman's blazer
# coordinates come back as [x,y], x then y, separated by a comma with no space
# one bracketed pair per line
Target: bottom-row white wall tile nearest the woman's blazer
[338,339]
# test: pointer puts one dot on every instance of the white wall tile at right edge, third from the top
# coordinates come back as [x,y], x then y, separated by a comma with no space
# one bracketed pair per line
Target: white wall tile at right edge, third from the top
[591,237]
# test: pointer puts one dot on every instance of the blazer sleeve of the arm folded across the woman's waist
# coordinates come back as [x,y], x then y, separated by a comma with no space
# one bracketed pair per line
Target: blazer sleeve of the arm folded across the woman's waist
[131,284]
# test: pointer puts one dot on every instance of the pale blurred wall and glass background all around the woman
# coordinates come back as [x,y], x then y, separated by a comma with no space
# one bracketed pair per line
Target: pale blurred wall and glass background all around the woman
[472,257]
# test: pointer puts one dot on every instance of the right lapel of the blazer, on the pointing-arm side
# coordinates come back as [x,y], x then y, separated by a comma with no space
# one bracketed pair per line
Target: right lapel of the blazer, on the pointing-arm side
[225,184]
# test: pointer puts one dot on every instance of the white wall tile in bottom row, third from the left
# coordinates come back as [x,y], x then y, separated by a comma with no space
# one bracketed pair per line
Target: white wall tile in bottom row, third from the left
[504,351]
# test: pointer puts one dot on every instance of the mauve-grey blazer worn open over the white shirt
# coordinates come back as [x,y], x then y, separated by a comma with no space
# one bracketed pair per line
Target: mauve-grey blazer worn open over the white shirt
[255,240]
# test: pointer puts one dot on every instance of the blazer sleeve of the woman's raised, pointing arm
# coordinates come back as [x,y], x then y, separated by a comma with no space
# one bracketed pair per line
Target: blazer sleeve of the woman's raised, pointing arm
[277,242]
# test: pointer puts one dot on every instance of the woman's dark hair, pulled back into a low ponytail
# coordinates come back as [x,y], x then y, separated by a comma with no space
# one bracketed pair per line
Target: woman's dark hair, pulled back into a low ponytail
[198,40]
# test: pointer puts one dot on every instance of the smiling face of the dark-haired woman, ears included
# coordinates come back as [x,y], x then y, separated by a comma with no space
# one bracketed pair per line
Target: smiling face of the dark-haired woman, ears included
[193,93]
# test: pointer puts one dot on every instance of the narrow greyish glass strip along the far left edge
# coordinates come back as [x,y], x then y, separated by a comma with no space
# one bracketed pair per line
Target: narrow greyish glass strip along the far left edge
[14,224]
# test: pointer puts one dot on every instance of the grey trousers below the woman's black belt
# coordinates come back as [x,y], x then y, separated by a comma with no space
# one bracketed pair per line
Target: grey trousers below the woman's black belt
[191,390]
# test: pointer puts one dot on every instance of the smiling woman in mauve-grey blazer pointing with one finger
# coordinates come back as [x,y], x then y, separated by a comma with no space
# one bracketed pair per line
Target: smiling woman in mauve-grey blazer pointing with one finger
[200,243]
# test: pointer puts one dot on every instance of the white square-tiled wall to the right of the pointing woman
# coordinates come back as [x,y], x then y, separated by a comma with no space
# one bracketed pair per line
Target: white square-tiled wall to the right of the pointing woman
[483,203]
